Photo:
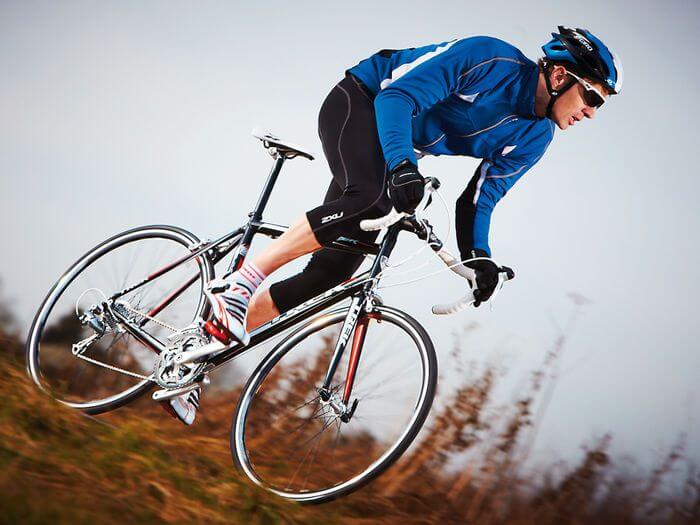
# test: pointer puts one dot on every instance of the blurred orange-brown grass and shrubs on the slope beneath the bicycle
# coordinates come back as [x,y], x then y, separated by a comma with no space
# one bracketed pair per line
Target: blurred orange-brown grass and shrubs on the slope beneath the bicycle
[137,465]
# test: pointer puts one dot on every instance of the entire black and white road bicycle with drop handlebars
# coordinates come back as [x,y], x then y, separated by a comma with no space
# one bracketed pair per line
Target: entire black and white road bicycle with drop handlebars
[334,403]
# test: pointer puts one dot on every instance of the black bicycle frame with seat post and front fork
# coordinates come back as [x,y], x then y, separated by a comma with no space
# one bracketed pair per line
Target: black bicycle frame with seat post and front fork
[360,288]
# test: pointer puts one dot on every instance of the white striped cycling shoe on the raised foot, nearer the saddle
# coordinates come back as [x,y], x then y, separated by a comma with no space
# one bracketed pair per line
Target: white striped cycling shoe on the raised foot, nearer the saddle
[229,301]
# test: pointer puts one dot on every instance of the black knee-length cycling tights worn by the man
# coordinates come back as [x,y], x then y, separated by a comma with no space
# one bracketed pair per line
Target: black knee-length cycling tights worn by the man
[348,132]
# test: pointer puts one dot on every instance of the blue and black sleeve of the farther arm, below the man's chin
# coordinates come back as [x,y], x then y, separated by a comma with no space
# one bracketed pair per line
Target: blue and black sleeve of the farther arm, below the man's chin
[474,207]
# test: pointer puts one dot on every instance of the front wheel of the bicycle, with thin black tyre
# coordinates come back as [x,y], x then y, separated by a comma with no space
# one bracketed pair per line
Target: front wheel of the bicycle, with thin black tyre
[285,438]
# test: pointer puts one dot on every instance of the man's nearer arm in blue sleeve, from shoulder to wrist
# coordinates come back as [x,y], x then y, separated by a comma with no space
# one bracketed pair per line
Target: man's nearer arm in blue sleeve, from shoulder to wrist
[465,66]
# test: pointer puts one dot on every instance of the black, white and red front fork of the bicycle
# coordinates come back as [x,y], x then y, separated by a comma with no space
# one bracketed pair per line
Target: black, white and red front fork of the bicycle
[355,324]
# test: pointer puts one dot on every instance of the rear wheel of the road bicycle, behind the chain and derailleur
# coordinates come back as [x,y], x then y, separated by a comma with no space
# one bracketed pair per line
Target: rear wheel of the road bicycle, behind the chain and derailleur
[50,361]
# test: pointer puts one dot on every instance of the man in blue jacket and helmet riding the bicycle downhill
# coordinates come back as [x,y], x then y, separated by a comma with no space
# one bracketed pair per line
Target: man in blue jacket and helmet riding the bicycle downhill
[478,97]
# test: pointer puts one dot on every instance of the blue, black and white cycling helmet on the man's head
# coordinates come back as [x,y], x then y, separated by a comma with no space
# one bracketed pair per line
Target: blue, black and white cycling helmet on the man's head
[589,56]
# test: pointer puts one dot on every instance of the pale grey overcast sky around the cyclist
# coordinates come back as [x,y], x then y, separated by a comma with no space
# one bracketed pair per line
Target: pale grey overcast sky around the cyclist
[118,114]
